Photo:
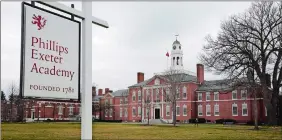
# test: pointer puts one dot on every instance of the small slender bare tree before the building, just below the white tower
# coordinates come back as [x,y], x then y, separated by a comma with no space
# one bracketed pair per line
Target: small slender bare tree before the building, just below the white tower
[174,78]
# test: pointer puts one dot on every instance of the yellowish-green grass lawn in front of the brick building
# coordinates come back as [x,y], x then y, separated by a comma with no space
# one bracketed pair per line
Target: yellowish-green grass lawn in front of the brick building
[52,131]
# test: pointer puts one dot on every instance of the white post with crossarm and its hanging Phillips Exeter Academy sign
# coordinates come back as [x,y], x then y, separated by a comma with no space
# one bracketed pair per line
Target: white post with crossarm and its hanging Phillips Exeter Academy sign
[50,62]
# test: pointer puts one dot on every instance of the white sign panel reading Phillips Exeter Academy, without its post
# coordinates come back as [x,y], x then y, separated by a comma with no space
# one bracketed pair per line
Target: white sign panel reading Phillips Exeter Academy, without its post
[51,55]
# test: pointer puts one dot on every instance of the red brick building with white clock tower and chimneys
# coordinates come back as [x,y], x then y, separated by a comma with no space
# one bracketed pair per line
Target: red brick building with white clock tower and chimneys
[211,100]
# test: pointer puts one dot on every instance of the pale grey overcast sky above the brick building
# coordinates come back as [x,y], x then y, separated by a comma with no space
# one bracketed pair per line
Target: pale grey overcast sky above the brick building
[139,36]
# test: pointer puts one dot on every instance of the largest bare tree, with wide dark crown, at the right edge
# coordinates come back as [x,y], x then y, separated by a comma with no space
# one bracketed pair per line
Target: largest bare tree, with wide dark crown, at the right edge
[250,40]
